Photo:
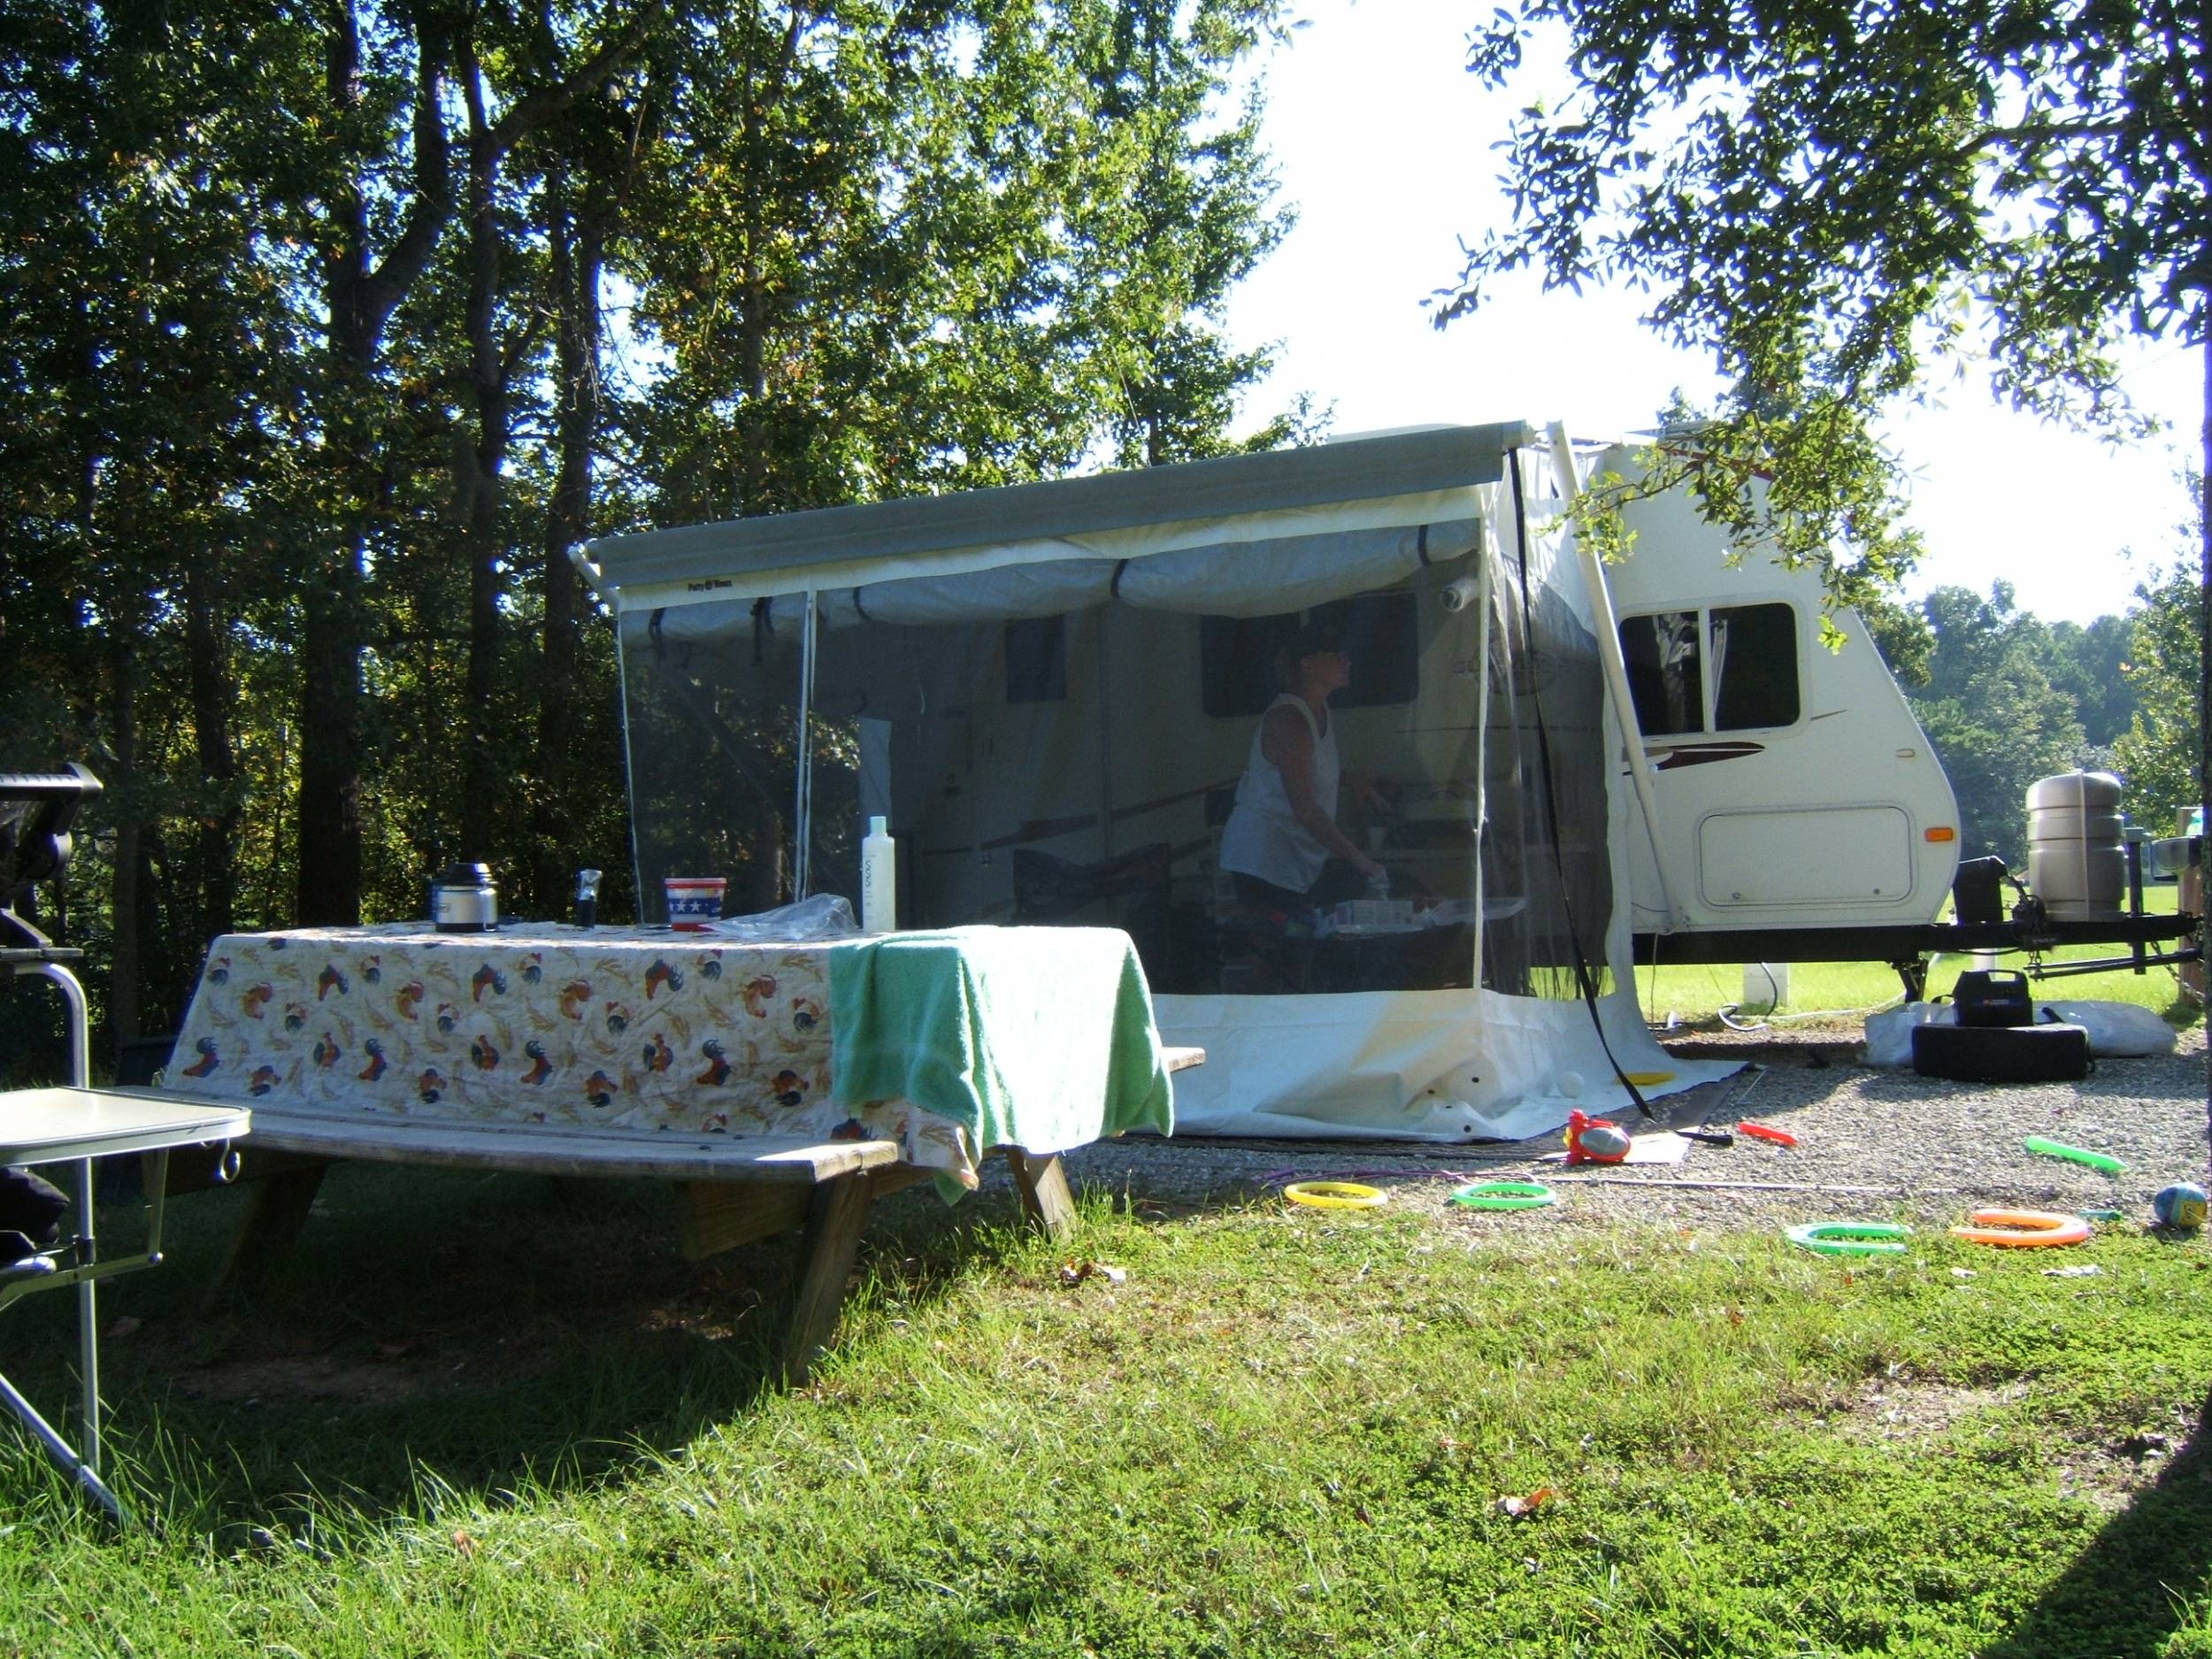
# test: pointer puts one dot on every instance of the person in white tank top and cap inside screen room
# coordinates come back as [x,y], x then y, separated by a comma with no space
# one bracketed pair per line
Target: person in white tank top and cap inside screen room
[1282,844]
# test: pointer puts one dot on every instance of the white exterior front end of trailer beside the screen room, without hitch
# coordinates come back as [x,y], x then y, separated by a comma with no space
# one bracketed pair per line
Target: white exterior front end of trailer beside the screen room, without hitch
[1791,784]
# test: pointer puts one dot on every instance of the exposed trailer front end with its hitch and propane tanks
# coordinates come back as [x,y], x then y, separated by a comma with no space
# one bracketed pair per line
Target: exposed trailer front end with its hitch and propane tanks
[1793,806]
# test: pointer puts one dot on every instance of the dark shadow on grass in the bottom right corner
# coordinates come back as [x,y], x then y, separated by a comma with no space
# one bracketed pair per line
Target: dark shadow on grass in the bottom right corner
[2131,1589]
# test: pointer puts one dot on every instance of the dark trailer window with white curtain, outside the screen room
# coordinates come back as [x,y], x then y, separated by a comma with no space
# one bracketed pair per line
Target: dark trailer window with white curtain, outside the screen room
[1731,669]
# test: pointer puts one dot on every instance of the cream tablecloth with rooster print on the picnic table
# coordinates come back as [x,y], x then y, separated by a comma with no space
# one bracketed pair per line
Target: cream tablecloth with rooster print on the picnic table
[539,1023]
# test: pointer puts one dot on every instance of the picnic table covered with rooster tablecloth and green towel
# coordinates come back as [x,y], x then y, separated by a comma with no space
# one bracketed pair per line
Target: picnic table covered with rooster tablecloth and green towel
[705,1061]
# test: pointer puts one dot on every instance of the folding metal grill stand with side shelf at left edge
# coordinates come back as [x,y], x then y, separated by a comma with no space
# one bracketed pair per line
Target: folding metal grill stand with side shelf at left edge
[76,1125]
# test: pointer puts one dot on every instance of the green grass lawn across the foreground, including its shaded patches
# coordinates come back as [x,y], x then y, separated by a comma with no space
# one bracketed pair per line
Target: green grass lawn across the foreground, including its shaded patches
[477,1421]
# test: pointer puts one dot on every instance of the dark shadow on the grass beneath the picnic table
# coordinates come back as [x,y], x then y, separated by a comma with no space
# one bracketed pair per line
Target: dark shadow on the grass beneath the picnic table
[450,1333]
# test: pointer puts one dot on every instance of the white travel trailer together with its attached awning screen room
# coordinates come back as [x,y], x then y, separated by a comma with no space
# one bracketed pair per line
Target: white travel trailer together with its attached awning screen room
[1052,698]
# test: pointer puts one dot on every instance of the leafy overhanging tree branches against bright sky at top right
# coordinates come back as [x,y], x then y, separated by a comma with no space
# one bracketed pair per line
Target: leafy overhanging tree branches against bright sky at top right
[1835,200]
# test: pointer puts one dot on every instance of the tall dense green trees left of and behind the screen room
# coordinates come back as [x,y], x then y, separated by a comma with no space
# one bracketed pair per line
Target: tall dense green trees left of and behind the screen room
[328,331]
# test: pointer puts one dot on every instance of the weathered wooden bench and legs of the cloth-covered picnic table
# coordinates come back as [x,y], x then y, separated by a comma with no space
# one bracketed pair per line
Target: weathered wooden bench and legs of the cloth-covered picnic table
[731,1189]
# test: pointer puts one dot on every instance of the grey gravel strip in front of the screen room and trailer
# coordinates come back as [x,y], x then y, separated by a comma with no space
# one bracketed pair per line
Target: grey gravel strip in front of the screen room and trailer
[1930,1149]
